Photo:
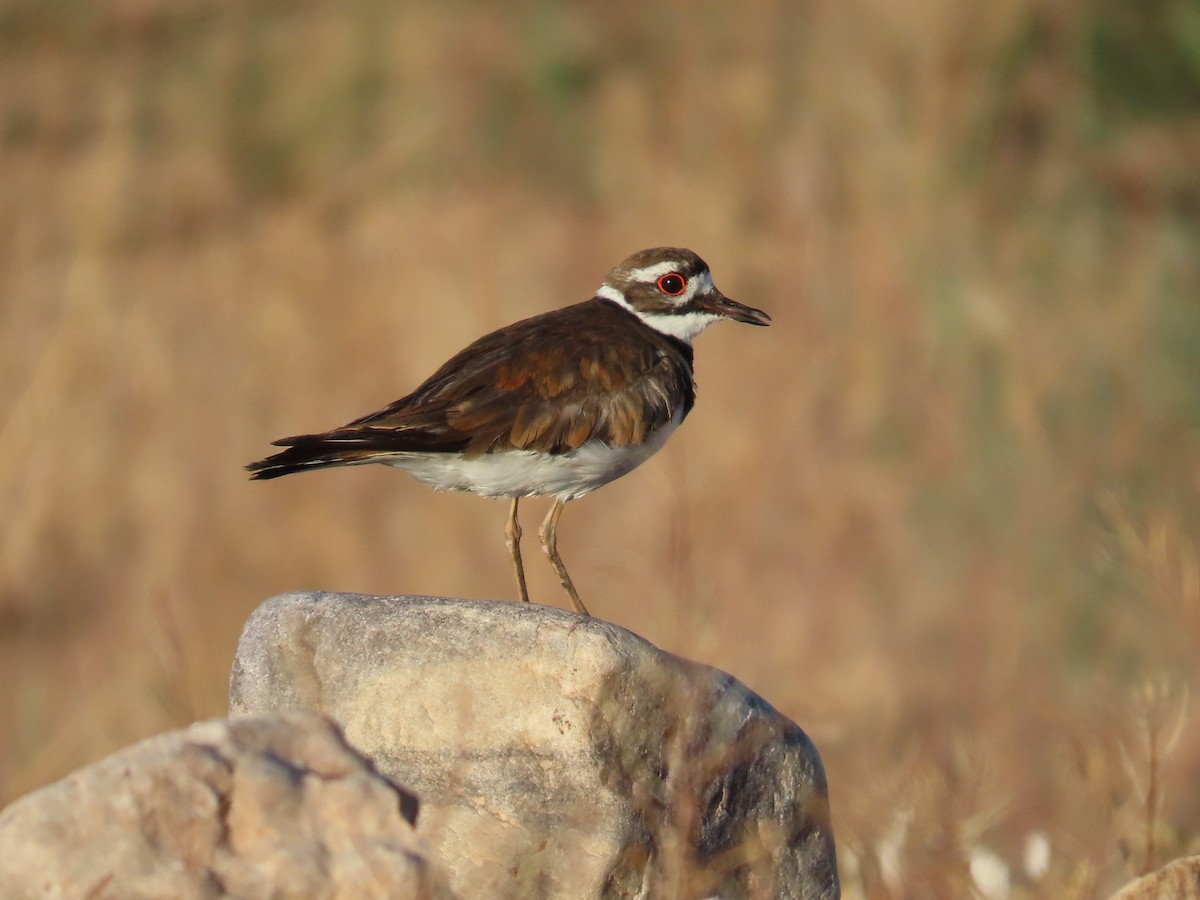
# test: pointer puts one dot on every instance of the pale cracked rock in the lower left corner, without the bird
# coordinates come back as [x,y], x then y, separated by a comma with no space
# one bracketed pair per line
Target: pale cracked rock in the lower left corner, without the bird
[272,807]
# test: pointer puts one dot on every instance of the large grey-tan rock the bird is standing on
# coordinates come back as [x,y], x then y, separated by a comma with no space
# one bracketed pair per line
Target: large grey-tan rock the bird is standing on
[556,757]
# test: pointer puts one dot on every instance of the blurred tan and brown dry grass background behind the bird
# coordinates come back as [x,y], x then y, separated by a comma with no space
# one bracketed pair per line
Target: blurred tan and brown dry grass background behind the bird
[944,513]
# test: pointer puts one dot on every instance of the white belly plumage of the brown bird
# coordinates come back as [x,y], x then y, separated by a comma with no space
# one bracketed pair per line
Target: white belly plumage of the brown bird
[525,473]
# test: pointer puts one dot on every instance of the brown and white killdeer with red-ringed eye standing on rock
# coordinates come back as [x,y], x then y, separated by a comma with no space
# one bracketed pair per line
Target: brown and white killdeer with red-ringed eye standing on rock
[559,405]
